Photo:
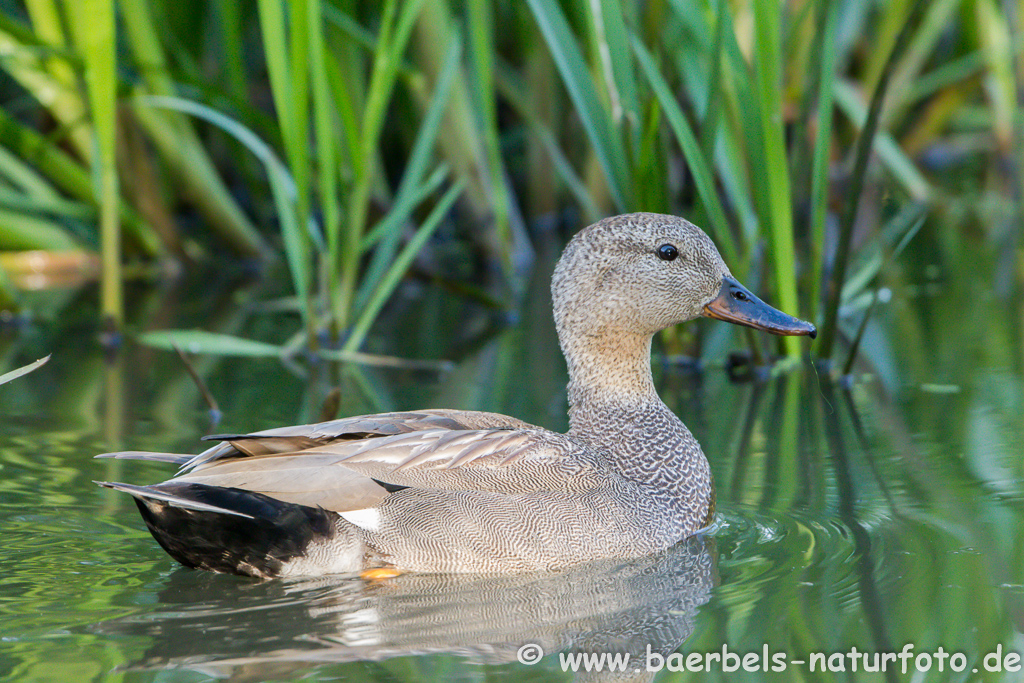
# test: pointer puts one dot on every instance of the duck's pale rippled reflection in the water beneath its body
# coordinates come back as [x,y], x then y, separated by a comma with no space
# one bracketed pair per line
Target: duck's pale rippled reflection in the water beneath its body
[225,628]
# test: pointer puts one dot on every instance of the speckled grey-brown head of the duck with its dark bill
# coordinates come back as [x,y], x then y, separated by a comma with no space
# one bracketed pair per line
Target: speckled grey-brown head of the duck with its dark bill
[638,274]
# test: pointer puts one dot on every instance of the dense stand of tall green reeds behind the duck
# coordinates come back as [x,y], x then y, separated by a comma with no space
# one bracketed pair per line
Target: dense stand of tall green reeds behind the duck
[749,117]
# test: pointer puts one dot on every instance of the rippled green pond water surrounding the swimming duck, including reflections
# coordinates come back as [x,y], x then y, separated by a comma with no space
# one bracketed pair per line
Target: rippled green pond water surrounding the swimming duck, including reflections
[855,523]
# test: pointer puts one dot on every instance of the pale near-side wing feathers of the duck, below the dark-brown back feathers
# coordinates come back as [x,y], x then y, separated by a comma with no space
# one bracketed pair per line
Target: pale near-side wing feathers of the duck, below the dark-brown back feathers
[353,475]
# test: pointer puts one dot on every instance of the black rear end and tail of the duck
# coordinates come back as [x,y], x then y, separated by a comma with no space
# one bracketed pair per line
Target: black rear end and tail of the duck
[231,531]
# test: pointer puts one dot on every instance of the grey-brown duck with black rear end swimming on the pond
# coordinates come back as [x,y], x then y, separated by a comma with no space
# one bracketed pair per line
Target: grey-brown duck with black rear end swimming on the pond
[451,491]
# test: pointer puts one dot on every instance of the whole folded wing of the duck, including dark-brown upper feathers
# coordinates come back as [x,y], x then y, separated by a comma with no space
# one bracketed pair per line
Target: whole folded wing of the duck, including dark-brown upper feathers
[355,463]
